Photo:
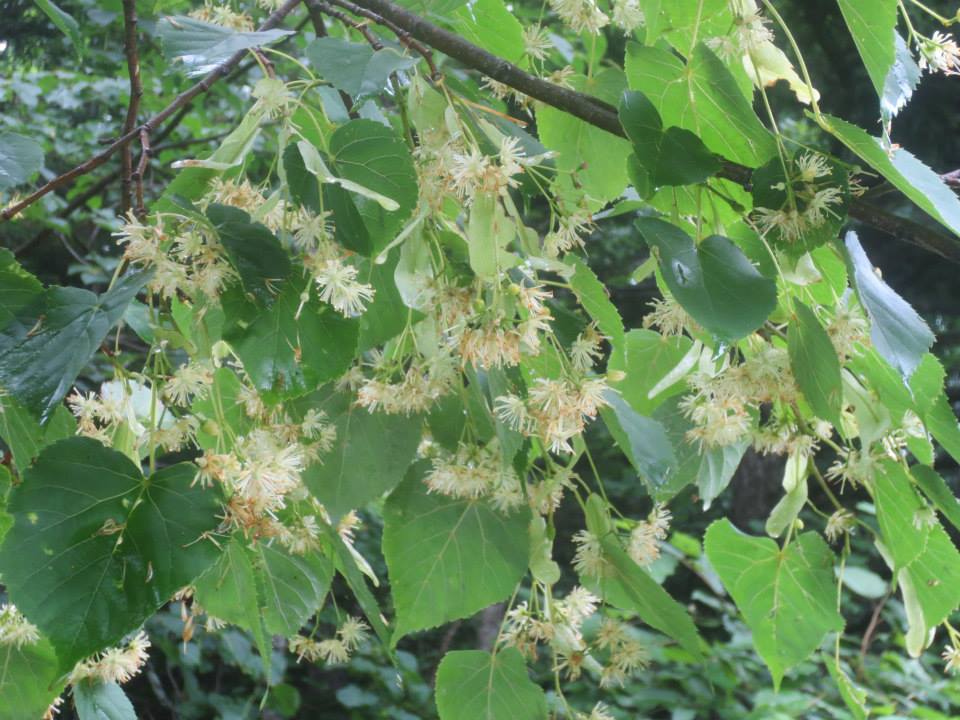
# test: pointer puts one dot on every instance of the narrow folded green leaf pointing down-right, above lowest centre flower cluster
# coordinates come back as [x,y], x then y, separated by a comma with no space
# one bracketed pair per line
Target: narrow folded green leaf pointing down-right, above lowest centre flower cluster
[630,587]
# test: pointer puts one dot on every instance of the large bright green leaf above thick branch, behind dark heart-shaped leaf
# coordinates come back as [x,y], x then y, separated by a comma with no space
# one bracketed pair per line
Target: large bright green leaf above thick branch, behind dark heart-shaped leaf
[703,98]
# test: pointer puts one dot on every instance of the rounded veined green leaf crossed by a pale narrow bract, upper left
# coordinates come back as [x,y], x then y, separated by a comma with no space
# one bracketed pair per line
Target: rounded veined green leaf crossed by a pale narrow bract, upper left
[374,157]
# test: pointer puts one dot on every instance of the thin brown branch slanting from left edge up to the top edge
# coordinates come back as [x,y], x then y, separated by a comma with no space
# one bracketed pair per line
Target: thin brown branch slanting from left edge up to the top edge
[181,100]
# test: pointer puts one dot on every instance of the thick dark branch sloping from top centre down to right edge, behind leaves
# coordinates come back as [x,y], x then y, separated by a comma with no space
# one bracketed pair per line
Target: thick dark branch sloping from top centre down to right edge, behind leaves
[604,116]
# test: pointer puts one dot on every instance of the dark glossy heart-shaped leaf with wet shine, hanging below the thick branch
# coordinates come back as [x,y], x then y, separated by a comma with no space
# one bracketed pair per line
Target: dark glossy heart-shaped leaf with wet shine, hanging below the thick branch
[713,281]
